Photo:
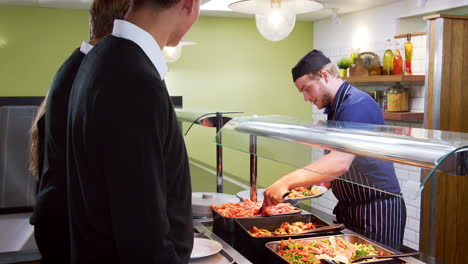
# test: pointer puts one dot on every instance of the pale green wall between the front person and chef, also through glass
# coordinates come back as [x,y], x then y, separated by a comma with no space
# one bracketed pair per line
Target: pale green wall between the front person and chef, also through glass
[233,67]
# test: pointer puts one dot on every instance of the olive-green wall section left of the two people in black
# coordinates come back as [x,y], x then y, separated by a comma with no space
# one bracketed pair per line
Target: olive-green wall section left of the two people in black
[34,42]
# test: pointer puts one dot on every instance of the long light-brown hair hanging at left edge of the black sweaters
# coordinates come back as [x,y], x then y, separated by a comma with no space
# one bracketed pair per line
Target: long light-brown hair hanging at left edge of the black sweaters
[35,152]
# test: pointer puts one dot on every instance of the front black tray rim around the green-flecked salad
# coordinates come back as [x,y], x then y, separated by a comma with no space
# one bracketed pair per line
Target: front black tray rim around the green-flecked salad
[273,246]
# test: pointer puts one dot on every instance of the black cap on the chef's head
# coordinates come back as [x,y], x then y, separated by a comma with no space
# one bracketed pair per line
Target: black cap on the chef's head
[312,61]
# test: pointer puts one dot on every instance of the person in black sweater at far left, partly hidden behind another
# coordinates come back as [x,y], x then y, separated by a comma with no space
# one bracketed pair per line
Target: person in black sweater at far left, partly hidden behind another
[48,149]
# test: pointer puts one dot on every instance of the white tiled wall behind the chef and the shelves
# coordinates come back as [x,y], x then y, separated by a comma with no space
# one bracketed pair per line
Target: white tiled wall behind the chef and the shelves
[380,24]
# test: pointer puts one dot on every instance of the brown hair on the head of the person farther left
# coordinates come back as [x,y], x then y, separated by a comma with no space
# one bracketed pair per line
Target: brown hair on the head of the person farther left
[102,16]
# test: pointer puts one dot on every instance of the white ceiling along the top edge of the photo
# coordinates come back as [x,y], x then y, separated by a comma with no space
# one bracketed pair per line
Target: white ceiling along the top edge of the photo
[219,7]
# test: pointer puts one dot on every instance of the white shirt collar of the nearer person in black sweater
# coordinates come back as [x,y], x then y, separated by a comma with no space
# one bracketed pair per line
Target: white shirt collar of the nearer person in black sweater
[147,43]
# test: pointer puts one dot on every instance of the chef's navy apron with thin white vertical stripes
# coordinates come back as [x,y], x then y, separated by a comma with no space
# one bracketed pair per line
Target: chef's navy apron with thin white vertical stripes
[374,214]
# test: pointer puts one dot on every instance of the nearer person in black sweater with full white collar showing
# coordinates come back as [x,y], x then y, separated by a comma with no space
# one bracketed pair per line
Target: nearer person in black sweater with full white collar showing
[128,174]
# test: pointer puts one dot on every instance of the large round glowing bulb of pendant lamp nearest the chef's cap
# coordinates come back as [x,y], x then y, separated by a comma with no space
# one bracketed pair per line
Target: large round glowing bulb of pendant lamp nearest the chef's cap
[276,23]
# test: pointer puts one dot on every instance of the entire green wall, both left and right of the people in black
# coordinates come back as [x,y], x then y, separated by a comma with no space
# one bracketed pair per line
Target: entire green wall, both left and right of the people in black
[232,67]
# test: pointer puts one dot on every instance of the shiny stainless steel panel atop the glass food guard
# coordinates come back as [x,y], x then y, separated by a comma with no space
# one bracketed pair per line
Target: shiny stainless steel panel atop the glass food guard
[417,147]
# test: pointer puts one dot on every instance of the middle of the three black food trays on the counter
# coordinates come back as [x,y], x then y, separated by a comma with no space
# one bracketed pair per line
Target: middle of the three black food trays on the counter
[254,247]
